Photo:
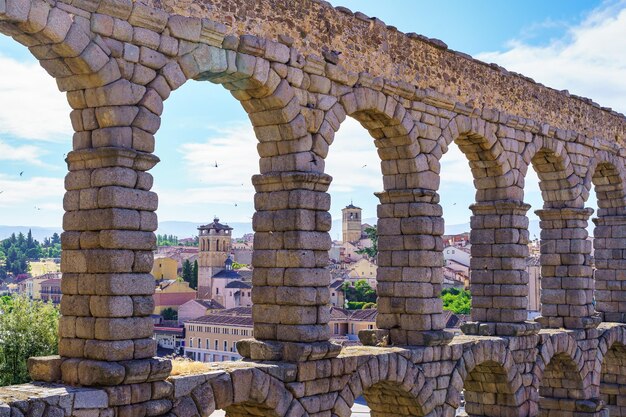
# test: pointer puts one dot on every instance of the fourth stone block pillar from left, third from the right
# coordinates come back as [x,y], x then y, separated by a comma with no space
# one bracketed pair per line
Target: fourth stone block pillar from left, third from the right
[498,275]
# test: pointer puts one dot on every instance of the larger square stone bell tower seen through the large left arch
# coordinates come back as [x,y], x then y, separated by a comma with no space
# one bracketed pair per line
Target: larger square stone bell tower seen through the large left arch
[214,241]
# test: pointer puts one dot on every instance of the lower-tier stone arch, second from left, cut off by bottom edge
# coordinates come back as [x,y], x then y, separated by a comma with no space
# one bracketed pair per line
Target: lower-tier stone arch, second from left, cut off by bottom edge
[391,384]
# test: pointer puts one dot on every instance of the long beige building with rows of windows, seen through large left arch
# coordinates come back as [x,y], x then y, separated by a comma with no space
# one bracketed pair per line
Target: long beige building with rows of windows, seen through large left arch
[213,338]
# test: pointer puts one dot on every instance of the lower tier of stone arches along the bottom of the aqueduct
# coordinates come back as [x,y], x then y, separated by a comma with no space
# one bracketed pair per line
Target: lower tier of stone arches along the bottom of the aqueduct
[556,372]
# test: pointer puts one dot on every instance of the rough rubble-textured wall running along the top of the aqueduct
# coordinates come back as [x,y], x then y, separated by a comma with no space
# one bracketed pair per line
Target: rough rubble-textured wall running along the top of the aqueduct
[367,44]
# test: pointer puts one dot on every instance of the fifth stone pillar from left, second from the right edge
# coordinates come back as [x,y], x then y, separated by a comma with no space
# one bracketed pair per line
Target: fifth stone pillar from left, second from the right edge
[567,275]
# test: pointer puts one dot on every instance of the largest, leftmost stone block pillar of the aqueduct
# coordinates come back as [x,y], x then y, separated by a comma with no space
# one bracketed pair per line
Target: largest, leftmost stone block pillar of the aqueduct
[105,333]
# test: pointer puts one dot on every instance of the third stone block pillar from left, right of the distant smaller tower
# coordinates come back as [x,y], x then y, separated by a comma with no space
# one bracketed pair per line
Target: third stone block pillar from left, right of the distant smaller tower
[410,258]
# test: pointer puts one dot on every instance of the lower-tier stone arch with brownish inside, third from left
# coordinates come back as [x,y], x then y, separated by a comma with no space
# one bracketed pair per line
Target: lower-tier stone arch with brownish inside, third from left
[490,380]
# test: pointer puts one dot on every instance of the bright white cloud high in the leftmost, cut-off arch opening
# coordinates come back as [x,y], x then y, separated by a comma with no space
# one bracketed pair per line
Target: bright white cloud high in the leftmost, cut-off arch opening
[32,106]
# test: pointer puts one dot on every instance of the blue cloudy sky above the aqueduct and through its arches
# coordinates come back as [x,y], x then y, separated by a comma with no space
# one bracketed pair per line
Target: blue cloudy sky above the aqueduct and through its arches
[567,44]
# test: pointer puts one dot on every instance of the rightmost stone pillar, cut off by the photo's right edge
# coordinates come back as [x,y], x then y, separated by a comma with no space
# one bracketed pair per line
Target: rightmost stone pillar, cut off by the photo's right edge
[610,261]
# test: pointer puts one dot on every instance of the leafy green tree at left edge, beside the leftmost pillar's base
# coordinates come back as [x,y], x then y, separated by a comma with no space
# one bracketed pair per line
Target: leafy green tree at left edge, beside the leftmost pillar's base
[27,328]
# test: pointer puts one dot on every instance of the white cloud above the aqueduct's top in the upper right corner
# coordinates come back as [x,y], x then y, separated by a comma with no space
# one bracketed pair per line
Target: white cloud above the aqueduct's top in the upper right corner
[588,61]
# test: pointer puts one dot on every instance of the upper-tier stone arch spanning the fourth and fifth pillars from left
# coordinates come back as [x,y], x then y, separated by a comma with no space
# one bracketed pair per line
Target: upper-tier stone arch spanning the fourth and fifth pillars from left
[559,184]
